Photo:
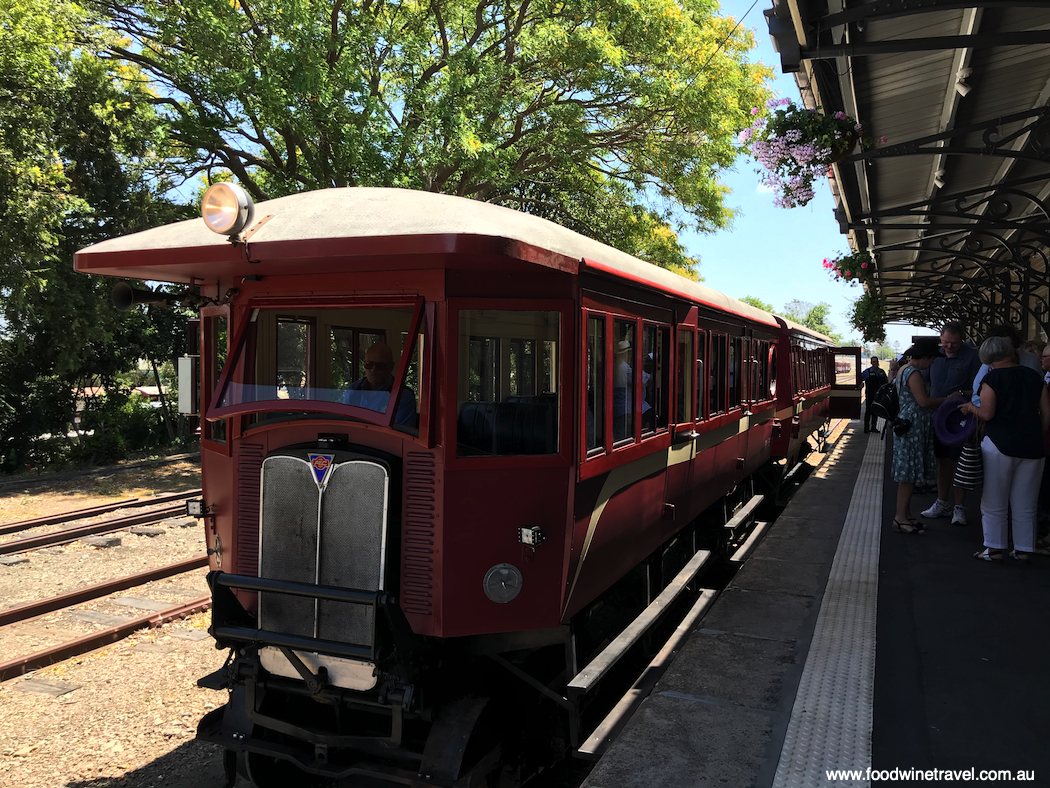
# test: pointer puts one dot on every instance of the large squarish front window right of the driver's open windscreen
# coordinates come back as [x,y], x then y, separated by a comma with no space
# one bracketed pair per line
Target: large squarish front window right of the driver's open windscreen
[508,383]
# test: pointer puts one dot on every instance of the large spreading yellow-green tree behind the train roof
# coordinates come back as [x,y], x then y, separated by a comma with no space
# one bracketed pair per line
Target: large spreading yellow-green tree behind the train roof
[611,117]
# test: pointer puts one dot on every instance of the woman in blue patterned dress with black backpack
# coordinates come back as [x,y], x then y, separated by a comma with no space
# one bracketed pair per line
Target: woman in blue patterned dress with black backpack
[914,461]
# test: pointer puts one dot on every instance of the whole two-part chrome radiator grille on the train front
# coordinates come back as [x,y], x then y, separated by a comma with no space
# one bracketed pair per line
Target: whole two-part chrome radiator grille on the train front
[337,537]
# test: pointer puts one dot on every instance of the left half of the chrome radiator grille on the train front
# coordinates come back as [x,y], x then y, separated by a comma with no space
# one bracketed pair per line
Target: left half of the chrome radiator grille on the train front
[288,544]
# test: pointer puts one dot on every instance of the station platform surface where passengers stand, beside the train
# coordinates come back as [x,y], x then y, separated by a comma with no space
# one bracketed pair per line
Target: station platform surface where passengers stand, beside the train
[844,646]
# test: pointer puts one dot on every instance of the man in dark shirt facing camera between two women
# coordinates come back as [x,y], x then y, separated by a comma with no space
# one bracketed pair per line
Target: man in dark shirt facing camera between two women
[951,376]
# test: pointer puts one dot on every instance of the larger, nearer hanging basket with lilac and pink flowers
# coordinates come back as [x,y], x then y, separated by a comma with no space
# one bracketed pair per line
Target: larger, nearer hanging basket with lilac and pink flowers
[796,147]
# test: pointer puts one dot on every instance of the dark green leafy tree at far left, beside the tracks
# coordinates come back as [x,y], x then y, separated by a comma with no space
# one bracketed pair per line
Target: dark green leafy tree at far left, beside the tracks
[78,141]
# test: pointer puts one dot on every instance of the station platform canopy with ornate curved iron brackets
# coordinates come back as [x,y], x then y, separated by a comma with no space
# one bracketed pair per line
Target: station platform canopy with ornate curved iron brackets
[955,204]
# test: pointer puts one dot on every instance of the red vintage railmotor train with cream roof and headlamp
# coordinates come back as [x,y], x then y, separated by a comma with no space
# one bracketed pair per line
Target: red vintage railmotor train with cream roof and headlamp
[448,451]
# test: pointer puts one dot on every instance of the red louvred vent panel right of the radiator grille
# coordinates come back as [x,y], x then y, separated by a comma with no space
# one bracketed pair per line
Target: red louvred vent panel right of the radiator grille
[417,570]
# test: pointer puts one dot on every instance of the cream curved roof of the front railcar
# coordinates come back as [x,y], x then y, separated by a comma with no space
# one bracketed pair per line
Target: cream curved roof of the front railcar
[363,213]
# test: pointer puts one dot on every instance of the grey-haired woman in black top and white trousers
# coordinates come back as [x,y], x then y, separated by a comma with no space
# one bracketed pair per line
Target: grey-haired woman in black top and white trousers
[1016,409]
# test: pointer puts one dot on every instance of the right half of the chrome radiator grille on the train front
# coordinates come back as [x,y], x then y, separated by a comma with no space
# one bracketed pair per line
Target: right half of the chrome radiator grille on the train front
[353,540]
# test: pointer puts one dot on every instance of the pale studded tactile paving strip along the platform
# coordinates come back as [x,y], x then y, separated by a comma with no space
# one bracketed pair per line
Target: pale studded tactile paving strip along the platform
[831,722]
